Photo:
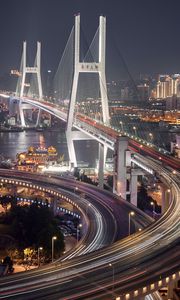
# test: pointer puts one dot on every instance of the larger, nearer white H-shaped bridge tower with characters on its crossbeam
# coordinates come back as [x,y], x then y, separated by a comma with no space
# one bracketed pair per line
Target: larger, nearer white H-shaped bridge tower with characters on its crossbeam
[87,67]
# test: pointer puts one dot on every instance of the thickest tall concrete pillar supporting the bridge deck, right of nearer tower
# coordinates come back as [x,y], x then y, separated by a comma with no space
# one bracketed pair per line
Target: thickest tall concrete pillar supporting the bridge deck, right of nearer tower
[120,173]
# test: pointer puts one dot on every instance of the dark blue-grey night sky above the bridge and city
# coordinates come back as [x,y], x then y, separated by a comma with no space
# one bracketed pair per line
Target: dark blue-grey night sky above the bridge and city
[147,33]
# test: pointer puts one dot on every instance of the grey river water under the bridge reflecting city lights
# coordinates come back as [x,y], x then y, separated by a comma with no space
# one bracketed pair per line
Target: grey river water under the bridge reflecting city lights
[12,143]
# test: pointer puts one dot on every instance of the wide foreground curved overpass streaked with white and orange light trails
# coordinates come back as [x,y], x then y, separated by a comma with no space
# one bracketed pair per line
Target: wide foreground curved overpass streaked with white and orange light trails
[139,264]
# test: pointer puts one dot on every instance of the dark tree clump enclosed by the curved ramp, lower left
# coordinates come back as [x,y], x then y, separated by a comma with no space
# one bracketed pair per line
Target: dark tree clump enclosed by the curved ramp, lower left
[34,226]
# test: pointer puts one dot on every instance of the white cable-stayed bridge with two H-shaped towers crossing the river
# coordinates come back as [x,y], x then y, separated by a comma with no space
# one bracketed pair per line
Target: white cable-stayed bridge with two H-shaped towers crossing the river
[88,117]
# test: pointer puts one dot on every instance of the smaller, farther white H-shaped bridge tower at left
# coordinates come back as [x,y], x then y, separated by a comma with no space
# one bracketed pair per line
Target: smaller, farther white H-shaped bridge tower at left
[36,69]
